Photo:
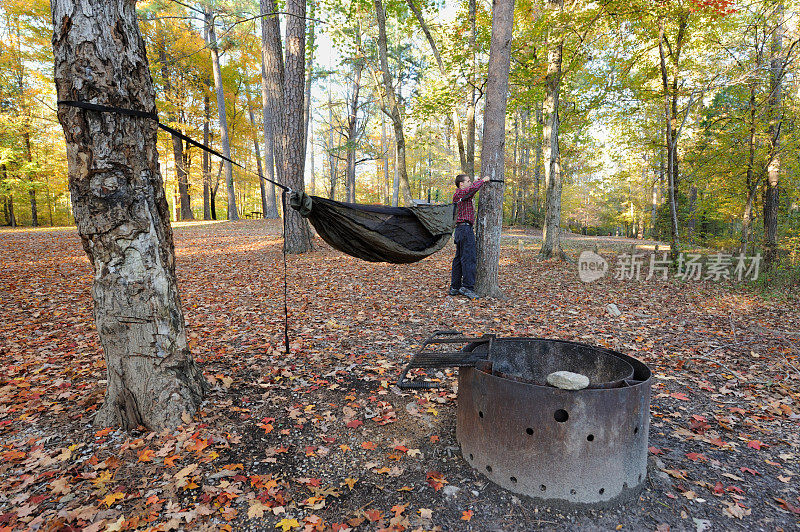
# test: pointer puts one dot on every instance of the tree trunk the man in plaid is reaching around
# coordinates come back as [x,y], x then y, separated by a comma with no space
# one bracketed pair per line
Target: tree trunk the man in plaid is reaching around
[489,219]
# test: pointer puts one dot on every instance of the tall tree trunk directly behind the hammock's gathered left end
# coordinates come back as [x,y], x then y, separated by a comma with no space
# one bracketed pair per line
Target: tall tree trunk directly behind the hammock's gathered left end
[292,138]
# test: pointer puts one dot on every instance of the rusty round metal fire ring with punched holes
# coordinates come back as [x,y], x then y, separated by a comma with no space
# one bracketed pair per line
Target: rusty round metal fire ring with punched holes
[571,448]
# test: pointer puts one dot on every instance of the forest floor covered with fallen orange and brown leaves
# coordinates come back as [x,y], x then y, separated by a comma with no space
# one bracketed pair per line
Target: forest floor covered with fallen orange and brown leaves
[322,439]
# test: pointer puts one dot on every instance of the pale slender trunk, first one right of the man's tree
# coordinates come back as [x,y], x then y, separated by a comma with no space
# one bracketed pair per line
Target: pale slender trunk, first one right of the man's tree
[551,240]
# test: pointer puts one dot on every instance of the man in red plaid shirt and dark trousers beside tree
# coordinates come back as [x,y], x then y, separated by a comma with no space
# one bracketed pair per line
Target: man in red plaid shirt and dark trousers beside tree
[463,276]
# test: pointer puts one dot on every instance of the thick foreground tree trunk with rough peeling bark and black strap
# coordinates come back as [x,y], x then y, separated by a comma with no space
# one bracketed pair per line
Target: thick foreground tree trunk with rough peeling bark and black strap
[123,216]
